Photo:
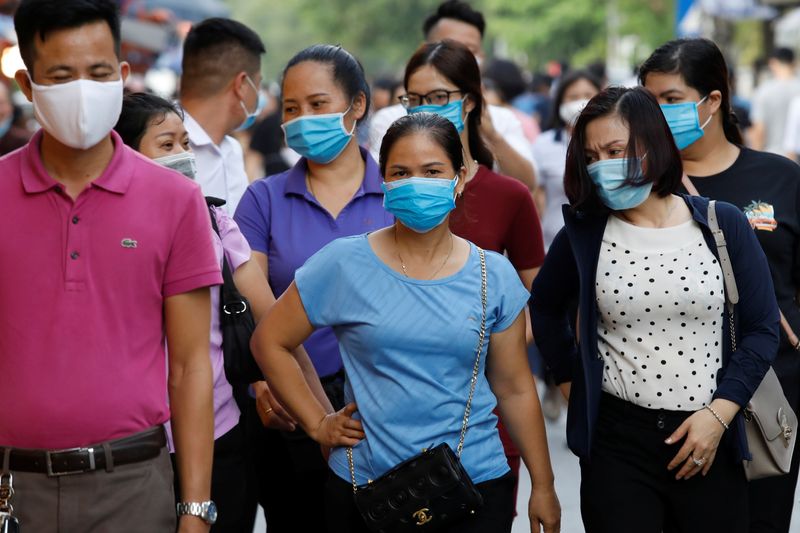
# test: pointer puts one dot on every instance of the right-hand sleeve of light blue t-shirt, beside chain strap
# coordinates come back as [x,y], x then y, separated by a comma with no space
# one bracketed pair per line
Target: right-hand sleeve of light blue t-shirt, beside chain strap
[506,293]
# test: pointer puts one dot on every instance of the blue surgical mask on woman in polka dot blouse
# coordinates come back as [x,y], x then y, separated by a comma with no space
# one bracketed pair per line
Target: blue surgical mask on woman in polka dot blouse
[610,176]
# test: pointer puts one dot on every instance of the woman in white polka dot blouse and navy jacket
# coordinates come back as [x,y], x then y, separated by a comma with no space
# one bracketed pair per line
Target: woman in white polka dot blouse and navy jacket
[655,390]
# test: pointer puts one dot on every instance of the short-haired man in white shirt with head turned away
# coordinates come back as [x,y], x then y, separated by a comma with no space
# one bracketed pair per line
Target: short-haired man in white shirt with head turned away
[219,94]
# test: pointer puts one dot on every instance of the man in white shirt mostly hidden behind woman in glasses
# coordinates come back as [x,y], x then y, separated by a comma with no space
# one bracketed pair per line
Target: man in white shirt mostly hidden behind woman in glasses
[500,129]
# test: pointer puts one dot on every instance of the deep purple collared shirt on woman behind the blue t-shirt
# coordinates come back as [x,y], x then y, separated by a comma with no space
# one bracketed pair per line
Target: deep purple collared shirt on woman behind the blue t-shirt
[279,217]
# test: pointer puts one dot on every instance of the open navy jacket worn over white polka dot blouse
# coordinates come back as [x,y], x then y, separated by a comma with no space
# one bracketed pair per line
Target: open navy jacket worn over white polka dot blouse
[568,274]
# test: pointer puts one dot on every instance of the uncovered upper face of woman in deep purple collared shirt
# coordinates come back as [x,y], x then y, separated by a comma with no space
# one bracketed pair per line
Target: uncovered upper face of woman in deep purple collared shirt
[309,89]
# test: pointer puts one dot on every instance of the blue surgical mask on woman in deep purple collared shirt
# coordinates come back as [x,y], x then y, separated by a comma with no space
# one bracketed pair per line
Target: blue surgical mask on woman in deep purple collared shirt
[320,138]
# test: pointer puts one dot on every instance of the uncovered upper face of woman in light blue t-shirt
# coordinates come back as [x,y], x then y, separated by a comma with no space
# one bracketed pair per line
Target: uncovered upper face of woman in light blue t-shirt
[419,155]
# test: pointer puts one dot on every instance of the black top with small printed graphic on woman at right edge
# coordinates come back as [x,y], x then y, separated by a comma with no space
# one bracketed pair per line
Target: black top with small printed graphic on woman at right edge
[767,188]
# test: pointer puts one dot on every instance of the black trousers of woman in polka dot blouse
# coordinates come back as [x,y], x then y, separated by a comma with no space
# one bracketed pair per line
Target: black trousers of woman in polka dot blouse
[626,487]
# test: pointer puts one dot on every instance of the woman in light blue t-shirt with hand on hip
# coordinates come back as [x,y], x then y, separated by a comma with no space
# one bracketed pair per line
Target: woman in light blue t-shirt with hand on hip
[405,305]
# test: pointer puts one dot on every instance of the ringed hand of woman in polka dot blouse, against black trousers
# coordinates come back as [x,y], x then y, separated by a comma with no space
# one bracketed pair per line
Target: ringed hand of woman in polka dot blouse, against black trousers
[703,433]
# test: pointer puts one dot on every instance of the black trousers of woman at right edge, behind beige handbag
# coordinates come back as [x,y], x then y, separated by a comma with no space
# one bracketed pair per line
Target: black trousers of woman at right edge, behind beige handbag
[772,499]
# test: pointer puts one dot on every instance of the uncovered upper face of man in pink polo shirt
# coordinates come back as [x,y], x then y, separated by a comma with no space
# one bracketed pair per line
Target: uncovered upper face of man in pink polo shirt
[86,52]
